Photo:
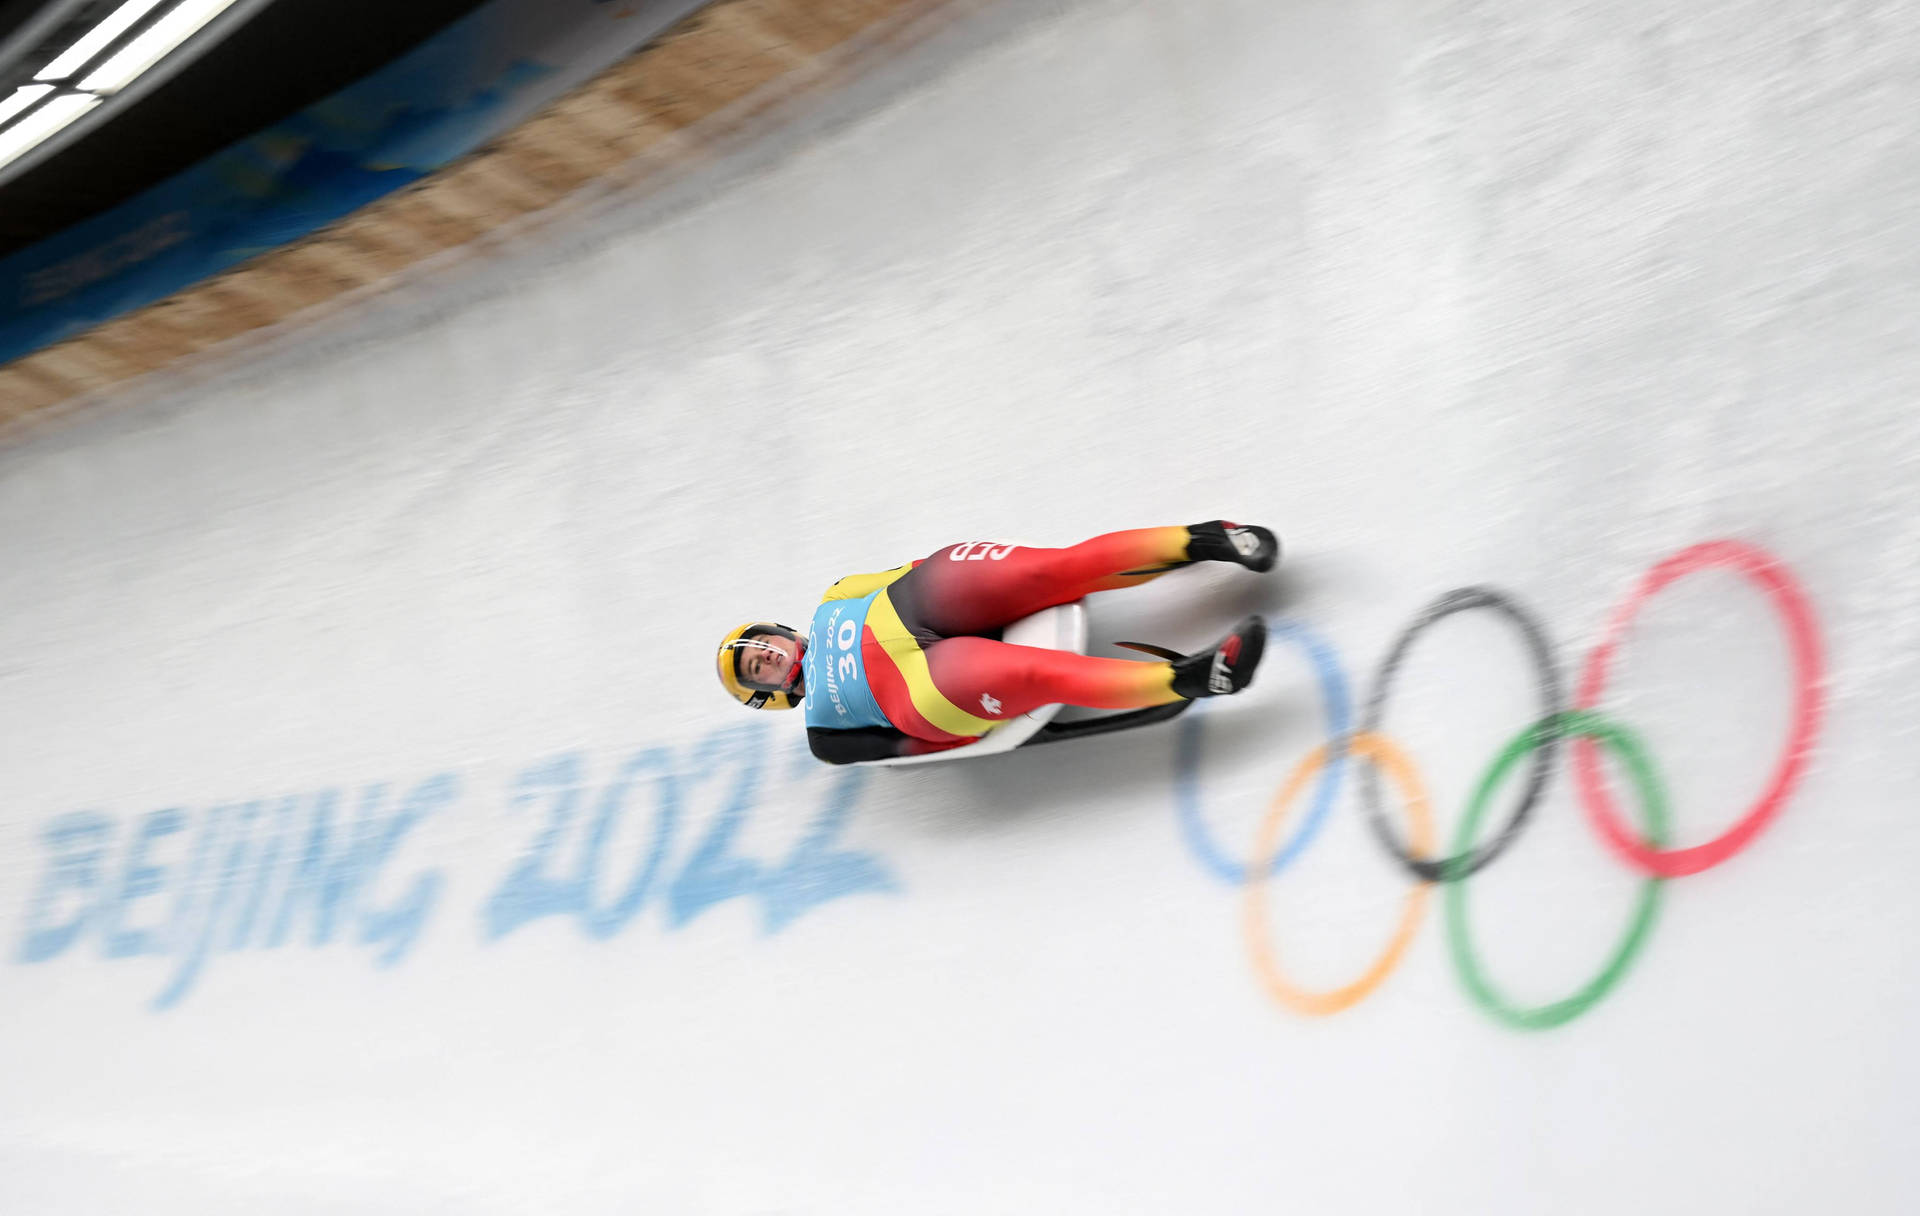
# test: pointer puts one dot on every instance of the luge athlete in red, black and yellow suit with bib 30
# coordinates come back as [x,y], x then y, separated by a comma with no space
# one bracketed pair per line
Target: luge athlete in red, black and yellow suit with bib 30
[907,662]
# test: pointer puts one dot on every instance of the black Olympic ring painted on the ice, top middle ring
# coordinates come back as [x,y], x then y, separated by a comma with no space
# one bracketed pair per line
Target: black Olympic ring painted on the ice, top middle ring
[1452,869]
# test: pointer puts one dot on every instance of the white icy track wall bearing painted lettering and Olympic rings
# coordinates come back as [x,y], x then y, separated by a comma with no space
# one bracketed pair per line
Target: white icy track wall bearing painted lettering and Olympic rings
[377,839]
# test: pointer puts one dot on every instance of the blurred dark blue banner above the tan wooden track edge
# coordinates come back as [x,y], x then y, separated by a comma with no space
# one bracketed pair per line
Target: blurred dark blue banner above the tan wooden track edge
[421,112]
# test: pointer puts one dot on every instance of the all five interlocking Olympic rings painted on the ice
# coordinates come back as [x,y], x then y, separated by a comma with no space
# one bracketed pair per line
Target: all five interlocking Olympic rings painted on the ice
[1587,731]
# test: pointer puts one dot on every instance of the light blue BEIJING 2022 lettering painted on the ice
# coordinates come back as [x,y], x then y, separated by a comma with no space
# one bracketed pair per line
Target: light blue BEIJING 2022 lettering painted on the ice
[264,873]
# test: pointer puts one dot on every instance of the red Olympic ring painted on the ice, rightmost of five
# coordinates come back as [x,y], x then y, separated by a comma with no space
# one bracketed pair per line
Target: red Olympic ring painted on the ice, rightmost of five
[1810,700]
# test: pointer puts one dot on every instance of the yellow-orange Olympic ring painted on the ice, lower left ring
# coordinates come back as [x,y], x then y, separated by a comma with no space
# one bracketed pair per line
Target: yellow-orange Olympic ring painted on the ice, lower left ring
[1422,844]
